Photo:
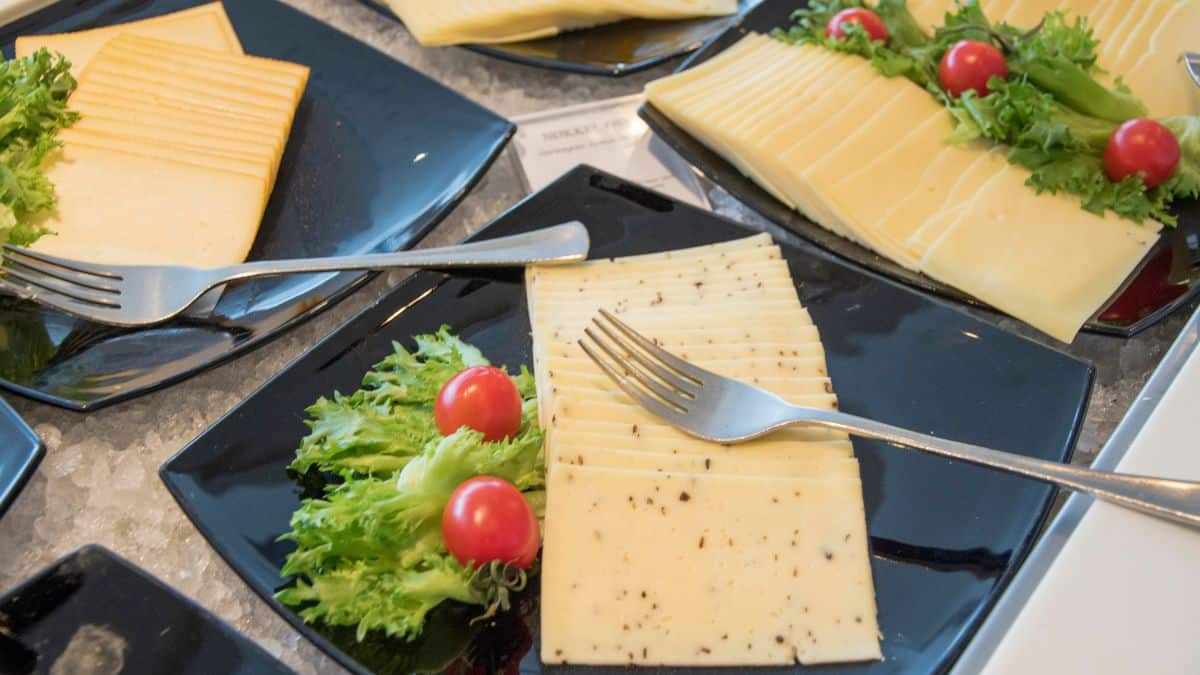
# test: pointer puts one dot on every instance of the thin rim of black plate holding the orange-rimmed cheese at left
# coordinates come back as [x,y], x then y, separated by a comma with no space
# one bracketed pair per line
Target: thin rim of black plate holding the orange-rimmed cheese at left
[436,219]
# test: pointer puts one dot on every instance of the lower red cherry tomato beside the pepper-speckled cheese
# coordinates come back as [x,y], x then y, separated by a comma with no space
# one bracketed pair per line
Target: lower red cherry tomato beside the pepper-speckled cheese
[488,519]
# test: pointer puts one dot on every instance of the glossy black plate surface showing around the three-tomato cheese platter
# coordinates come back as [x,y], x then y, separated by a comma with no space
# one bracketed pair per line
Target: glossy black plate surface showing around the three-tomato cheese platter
[1166,282]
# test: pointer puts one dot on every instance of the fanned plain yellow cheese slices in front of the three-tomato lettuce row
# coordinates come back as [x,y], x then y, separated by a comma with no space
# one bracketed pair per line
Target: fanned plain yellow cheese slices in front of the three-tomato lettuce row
[866,157]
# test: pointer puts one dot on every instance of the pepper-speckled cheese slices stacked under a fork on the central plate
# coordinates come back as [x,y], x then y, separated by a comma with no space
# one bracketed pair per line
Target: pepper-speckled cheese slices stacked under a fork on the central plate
[663,549]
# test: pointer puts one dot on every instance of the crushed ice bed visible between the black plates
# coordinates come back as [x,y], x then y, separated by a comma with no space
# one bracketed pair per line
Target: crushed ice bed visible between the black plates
[99,482]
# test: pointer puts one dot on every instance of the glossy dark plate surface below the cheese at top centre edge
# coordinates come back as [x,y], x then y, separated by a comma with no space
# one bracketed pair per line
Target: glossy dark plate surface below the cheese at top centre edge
[614,50]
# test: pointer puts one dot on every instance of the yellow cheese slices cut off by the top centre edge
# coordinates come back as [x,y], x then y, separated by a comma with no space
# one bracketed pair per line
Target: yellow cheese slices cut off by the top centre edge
[455,22]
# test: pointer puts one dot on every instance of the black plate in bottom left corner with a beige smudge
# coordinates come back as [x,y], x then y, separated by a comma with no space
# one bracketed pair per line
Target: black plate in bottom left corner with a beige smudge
[94,613]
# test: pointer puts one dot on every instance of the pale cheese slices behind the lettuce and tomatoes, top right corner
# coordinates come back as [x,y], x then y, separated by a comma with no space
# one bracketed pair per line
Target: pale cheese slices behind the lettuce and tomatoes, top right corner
[1143,41]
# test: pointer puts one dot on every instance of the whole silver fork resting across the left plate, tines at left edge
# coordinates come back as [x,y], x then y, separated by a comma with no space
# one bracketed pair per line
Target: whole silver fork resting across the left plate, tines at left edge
[133,296]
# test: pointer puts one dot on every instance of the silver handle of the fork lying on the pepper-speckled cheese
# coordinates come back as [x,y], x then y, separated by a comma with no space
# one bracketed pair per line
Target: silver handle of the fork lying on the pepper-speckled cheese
[1174,500]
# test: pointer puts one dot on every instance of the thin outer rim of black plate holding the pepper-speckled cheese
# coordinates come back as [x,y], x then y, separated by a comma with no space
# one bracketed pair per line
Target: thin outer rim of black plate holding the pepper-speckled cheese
[416,290]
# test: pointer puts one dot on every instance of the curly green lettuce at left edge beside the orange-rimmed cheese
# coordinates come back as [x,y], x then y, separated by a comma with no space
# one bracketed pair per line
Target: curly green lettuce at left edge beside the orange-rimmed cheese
[33,109]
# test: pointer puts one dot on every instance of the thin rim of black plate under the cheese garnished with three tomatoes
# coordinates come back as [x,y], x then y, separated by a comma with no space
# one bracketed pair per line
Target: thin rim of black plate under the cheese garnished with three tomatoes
[655,118]
